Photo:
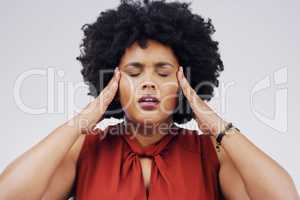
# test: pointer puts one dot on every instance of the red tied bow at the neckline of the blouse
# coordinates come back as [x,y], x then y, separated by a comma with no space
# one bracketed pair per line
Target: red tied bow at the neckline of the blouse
[132,168]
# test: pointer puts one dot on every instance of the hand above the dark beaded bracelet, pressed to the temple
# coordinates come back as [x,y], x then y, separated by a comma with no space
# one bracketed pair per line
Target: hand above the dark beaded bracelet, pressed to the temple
[209,122]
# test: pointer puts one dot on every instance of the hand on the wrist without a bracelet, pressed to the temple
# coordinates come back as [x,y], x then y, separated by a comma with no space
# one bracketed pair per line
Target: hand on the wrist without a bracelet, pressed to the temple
[87,119]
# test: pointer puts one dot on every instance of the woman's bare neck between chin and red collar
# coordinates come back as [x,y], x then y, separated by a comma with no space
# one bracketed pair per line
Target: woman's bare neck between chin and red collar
[148,134]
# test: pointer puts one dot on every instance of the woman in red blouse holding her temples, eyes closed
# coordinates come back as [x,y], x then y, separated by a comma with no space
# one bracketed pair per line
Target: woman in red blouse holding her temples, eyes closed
[147,156]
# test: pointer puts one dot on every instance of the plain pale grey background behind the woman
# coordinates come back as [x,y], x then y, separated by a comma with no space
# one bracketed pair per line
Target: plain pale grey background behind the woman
[257,39]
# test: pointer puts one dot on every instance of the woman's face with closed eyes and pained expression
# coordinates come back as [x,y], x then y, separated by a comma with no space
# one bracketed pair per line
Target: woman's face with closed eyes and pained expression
[151,71]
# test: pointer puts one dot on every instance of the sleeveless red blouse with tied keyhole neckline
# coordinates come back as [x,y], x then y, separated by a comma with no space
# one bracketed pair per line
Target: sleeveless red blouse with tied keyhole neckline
[185,166]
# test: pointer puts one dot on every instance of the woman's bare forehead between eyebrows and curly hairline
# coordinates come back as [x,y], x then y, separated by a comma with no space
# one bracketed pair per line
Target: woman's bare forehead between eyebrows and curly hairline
[155,52]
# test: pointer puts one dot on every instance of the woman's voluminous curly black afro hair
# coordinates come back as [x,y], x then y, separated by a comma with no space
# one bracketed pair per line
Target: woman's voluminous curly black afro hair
[170,23]
